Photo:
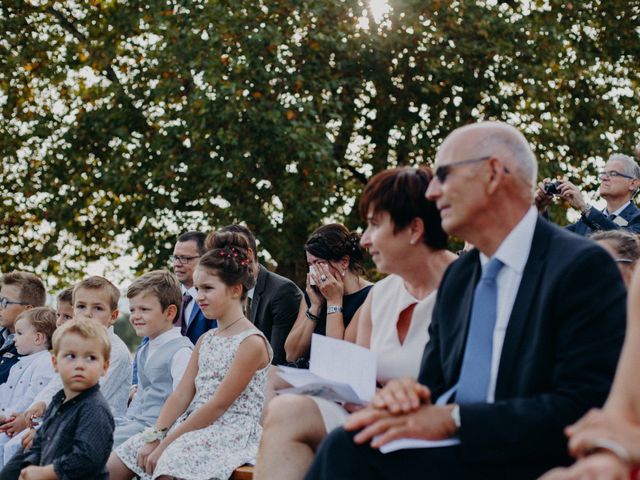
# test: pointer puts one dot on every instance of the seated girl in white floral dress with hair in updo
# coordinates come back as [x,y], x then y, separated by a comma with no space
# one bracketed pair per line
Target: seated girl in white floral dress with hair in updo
[210,425]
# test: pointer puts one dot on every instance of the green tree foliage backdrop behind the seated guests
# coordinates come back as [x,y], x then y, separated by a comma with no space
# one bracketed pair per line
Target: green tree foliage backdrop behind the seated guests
[126,122]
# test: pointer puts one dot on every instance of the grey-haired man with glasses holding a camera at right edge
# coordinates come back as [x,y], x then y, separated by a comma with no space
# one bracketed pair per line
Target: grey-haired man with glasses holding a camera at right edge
[619,182]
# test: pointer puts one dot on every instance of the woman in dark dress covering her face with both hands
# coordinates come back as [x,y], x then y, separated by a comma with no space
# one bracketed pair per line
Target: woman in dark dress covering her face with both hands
[335,290]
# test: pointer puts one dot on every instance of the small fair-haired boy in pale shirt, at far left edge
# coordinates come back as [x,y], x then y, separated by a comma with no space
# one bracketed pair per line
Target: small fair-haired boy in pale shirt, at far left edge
[31,374]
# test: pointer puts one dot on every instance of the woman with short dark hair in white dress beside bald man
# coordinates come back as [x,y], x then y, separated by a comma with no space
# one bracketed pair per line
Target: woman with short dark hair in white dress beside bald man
[406,241]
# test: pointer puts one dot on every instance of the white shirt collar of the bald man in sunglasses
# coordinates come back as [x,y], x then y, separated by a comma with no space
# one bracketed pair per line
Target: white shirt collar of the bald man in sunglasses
[514,249]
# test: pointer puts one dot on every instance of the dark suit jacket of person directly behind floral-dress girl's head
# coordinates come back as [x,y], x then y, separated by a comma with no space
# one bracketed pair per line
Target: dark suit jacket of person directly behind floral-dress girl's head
[274,308]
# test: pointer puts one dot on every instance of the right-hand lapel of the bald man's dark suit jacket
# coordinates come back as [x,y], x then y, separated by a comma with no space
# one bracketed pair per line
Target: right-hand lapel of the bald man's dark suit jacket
[522,307]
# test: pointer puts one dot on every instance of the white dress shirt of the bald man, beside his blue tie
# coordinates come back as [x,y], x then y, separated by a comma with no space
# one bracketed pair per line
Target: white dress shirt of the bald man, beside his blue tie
[513,252]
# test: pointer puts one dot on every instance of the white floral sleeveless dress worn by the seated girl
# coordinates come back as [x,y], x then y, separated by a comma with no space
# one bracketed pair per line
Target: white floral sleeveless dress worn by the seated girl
[213,452]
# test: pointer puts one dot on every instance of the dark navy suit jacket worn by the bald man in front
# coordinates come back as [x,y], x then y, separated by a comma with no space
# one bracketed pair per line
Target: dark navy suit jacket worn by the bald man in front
[559,356]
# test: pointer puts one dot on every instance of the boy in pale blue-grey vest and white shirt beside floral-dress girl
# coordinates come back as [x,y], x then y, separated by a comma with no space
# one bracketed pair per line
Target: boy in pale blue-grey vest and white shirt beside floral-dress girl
[154,302]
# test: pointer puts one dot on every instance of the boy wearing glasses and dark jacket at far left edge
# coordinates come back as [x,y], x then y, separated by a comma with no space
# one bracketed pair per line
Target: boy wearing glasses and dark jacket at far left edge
[19,291]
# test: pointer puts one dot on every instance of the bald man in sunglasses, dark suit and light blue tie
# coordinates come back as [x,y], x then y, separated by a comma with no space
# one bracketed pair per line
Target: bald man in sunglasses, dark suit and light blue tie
[525,336]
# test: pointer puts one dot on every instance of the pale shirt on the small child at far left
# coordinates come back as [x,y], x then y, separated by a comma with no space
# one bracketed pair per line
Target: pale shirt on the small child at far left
[28,377]
